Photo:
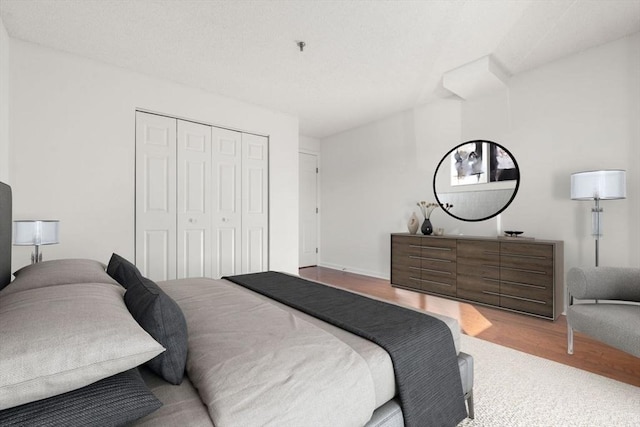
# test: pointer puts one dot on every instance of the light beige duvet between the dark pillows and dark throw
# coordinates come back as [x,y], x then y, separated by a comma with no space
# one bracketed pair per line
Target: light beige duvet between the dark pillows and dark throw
[255,363]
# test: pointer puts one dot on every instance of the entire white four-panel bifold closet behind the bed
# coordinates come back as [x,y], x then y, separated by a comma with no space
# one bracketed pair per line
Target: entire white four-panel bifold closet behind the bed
[201,199]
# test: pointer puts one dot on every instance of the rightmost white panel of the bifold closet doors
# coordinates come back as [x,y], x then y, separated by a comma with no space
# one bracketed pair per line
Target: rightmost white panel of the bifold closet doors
[255,203]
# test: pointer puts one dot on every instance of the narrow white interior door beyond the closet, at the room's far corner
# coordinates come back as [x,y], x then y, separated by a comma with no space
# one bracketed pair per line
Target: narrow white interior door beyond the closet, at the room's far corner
[308,188]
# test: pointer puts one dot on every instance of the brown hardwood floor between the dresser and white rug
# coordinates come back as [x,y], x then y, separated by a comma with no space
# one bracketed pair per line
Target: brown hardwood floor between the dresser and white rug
[528,334]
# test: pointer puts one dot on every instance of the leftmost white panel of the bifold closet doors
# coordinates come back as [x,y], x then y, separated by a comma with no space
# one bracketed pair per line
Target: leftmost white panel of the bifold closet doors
[156,196]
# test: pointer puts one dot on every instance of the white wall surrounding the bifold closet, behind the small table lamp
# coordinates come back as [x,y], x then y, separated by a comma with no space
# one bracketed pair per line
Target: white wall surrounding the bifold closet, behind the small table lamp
[72,150]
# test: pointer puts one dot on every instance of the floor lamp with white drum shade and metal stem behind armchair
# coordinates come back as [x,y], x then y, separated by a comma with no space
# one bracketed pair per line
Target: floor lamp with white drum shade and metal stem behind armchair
[598,185]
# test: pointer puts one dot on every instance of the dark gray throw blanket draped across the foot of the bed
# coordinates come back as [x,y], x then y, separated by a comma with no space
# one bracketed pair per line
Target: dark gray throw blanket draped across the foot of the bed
[421,346]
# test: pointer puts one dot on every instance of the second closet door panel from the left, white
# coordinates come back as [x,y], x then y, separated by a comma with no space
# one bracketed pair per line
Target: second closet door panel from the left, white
[194,200]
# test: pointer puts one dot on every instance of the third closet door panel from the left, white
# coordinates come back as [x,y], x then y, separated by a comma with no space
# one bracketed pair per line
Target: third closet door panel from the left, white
[226,192]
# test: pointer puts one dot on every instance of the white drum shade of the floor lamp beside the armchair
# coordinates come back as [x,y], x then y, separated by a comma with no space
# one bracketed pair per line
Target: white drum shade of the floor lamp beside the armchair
[603,185]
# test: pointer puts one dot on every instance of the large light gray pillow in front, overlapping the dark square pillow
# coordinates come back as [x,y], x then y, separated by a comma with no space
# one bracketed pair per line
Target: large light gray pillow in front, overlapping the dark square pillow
[60,338]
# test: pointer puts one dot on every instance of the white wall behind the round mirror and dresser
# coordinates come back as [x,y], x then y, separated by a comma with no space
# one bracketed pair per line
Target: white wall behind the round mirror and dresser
[575,114]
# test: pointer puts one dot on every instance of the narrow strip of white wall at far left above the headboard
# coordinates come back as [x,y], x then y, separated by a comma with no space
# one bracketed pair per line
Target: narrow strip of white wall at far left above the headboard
[4,104]
